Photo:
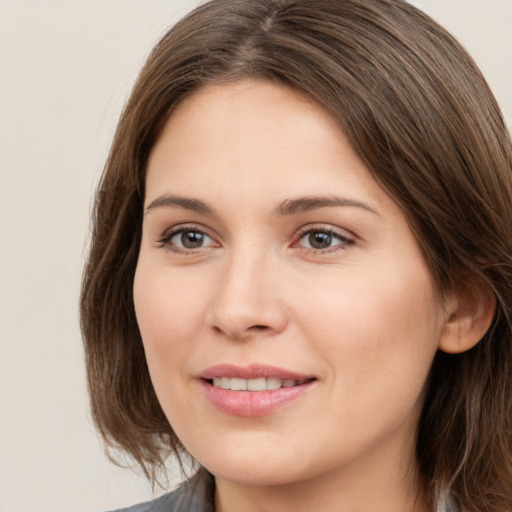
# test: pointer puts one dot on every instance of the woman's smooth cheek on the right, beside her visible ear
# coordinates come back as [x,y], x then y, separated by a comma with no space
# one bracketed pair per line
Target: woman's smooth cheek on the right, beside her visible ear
[374,327]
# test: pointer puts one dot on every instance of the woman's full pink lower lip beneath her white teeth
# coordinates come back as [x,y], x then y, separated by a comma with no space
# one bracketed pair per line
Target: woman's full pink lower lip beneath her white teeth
[253,403]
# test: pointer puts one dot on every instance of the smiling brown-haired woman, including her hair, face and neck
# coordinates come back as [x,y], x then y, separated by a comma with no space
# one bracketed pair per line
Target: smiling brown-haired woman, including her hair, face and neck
[300,271]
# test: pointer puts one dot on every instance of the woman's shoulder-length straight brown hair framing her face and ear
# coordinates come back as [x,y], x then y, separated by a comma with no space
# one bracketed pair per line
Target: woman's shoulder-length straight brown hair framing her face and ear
[420,114]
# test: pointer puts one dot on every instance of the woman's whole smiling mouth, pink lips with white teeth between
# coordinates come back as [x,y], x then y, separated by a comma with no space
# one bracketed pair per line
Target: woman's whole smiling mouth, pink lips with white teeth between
[253,390]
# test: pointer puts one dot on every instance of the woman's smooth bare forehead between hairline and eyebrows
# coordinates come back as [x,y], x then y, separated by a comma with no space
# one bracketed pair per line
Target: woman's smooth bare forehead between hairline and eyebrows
[254,137]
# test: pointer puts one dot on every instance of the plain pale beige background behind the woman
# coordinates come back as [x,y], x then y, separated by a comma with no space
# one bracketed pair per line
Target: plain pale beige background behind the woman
[66,67]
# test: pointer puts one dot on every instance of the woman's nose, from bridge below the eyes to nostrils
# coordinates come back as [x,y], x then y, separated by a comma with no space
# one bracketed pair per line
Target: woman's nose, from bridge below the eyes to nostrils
[249,299]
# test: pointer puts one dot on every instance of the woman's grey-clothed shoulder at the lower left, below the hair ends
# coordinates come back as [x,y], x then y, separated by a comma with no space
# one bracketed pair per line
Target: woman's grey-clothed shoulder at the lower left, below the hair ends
[194,495]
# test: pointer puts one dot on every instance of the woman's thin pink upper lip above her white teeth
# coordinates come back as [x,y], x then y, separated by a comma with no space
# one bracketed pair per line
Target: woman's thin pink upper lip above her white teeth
[252,371]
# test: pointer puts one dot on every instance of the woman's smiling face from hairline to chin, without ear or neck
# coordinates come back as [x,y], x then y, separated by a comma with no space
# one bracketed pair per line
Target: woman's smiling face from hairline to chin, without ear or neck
[272,260]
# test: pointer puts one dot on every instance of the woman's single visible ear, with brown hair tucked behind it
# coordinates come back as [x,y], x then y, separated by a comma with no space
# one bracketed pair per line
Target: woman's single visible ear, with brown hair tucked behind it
[468,316]
